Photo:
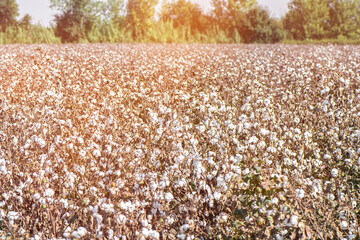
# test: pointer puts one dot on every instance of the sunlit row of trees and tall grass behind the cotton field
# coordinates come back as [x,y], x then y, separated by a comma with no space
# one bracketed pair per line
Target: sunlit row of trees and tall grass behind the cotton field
[228,21]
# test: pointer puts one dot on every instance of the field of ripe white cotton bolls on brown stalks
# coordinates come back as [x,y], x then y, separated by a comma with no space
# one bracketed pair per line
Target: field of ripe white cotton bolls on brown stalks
[179,141]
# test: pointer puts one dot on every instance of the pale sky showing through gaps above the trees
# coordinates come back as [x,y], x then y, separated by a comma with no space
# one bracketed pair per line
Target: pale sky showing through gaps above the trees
[41,13]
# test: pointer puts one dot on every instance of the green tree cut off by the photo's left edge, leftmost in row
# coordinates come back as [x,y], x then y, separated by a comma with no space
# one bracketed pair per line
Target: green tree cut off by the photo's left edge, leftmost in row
[9,10]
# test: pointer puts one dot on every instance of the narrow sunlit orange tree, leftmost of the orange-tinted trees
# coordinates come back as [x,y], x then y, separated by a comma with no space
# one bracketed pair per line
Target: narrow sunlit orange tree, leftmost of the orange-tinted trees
[140,18]
